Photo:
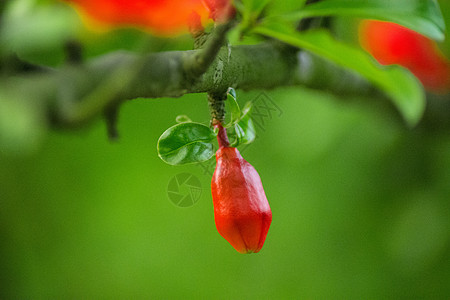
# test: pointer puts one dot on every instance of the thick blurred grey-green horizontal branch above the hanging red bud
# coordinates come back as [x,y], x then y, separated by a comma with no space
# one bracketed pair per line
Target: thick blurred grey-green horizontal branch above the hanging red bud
[76,93]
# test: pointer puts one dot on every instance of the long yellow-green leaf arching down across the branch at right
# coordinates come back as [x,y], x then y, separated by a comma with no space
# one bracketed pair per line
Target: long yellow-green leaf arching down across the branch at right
[400,85]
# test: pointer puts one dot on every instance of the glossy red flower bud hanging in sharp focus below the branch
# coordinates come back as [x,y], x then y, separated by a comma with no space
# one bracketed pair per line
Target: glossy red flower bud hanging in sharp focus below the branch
[242,213]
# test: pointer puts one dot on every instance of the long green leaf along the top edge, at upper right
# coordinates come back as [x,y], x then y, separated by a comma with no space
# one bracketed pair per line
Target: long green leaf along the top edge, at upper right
[423,16]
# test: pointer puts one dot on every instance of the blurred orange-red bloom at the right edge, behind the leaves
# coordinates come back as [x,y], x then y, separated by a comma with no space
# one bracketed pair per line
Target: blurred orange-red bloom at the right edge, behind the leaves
[390,43]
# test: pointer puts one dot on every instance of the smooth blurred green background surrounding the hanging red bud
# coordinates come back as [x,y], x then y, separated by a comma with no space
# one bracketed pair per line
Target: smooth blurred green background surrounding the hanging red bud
[360,203]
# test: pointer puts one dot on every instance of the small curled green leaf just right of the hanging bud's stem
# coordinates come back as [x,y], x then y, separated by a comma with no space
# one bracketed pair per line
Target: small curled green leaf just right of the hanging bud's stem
[243,132]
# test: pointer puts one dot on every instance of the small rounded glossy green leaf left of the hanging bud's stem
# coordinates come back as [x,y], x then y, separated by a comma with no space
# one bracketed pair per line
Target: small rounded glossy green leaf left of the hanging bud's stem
[186,143]
